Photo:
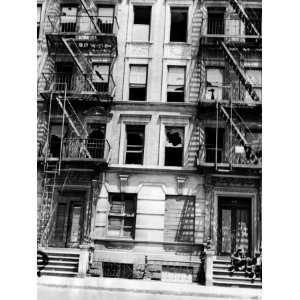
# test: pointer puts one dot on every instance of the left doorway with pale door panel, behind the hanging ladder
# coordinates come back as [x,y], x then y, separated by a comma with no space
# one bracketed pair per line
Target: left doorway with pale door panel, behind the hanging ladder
[68,227]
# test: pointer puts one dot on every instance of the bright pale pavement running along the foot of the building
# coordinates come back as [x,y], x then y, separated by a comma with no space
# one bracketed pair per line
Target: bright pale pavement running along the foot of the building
[91,287]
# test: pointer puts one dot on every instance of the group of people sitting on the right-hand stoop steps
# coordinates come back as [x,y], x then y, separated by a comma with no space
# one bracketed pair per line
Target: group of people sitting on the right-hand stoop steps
[251,266]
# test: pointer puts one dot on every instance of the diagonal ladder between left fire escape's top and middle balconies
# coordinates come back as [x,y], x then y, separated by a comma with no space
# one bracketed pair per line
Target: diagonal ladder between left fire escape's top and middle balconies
[80,60]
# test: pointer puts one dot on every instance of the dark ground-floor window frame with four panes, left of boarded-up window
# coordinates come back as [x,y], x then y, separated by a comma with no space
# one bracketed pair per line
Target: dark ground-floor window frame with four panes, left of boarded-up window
[122,215]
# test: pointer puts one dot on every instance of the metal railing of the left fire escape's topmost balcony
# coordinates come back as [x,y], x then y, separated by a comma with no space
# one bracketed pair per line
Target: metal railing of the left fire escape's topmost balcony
[83,25]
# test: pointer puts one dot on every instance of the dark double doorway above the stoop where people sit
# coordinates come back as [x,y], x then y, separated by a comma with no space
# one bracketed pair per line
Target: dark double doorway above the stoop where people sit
[234,225]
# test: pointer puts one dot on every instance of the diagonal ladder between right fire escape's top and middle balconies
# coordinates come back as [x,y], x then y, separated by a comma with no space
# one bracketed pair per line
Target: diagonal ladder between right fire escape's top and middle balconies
[240,72]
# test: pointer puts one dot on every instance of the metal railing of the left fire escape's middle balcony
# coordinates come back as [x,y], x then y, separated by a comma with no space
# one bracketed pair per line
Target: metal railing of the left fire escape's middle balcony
[77,83]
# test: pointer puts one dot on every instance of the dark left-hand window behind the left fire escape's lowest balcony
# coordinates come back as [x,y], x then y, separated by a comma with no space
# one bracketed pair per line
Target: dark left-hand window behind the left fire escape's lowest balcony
[57,133]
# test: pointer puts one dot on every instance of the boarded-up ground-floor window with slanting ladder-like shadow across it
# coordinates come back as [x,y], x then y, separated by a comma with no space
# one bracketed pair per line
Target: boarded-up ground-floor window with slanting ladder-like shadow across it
[179,219]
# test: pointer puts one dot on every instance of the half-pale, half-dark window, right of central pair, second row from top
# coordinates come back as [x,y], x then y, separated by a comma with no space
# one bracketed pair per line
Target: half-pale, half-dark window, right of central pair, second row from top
[176,80]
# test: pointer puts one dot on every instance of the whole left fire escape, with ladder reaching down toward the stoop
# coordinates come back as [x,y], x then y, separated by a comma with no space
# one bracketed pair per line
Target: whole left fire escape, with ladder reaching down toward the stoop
[77,38]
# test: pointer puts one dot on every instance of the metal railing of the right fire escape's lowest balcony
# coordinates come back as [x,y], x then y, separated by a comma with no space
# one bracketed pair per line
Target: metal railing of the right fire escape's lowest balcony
[236,155]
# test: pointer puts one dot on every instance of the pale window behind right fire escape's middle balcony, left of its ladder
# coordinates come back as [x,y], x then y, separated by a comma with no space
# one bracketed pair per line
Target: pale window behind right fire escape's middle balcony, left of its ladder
[214,82]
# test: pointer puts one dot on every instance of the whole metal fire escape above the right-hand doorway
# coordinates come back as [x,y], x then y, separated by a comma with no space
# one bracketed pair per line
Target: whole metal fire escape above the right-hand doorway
[230,42]
